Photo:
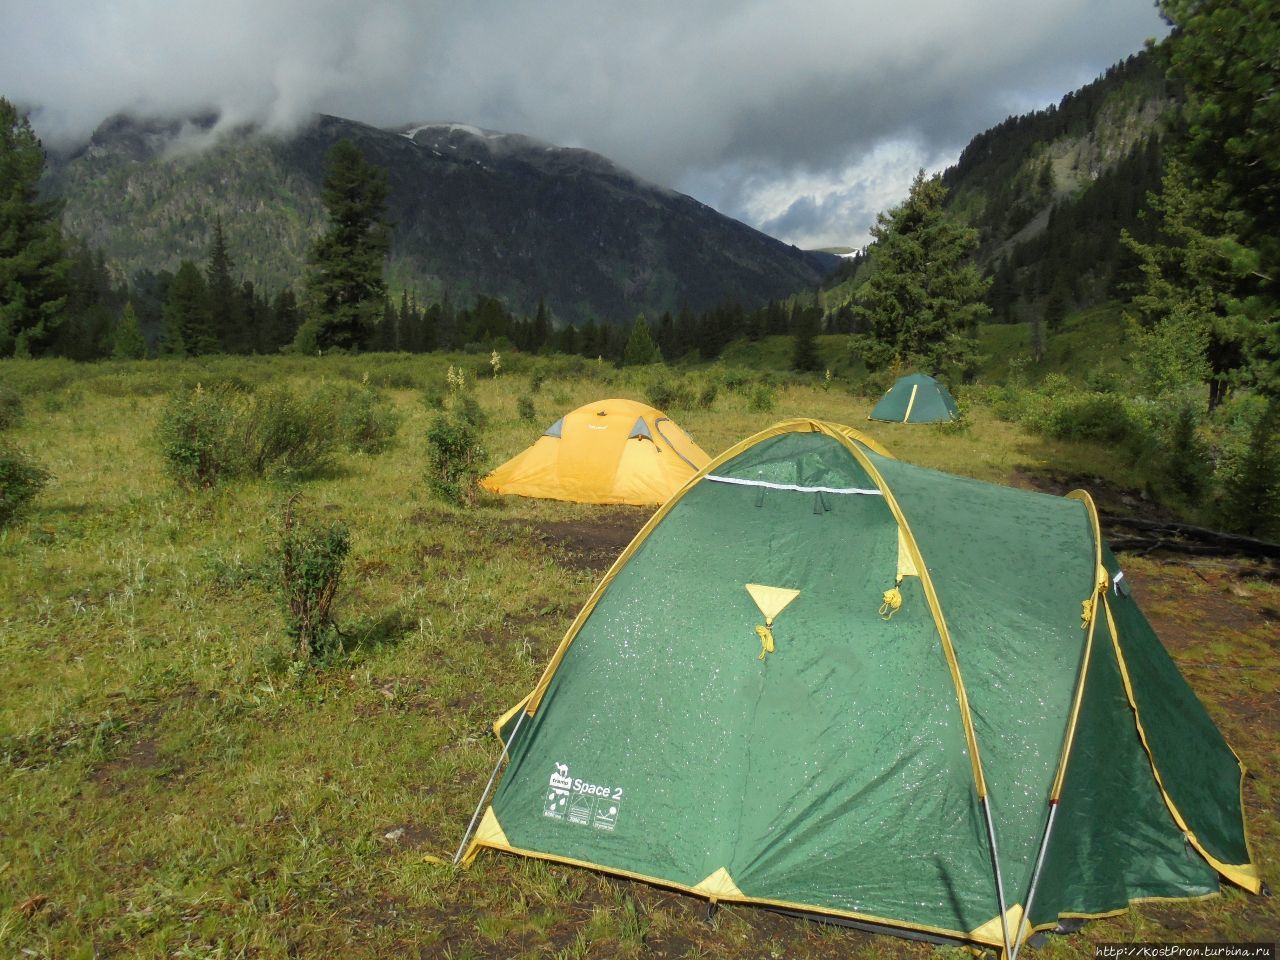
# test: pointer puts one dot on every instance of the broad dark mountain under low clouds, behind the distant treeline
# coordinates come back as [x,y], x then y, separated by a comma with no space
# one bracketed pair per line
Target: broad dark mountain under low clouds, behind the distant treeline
[474,212]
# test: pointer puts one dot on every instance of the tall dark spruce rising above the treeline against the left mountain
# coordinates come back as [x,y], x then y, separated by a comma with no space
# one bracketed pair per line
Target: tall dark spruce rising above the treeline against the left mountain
[345,269]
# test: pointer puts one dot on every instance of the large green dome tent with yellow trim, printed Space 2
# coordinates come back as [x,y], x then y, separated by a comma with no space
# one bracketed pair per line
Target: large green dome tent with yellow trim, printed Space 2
[826,682]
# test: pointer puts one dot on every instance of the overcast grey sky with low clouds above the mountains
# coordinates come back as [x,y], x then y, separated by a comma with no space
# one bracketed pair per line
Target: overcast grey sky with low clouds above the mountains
[803,118]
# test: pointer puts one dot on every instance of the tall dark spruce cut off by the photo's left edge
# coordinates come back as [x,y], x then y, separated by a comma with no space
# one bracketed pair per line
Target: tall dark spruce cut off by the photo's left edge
[34,266]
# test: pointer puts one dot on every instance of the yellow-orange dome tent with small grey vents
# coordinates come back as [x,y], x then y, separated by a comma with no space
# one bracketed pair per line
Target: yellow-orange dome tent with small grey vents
[612,451]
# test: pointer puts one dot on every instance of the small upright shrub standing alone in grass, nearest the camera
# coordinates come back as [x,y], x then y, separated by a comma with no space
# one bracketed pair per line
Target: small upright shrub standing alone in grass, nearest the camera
[312,559]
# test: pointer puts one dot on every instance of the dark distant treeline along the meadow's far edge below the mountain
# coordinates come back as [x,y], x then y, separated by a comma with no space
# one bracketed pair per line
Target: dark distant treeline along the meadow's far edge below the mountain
[203,309]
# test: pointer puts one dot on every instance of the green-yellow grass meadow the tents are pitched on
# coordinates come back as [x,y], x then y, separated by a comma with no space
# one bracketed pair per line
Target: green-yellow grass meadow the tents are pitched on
[175,785]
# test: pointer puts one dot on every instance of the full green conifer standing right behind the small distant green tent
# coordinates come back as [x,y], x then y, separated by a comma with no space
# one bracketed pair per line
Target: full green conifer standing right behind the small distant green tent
[924,300]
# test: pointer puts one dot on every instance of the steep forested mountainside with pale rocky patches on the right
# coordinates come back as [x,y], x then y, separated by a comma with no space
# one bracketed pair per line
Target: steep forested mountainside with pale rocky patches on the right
[1052,191]
